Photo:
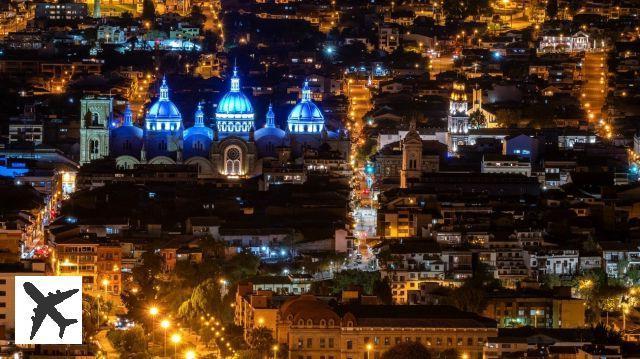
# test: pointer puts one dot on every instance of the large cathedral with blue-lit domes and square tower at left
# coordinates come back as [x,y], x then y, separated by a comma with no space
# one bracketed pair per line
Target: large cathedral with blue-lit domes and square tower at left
[230,147]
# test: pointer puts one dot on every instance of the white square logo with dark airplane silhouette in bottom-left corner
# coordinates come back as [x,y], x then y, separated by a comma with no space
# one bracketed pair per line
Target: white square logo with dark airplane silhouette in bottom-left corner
[48,310]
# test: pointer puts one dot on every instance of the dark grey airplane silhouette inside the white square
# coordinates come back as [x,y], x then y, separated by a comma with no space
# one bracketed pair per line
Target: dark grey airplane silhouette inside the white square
[46,306]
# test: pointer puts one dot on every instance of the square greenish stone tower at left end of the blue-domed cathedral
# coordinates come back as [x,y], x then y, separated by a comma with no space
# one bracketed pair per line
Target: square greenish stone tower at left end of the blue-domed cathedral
[95,114]
